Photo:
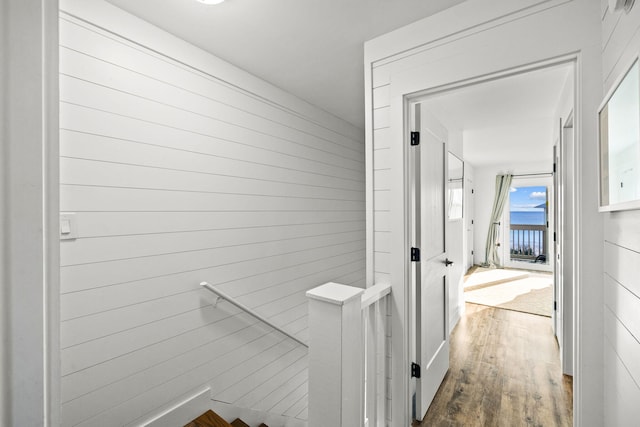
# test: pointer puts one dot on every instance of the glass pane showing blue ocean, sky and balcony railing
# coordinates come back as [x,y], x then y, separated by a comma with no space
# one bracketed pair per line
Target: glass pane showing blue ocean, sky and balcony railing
[528,216]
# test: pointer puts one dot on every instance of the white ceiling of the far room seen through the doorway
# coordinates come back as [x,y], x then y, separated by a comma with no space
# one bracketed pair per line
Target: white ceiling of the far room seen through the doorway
[506,120]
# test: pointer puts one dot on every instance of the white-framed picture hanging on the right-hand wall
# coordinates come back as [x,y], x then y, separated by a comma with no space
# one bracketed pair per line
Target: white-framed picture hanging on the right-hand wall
[619,143]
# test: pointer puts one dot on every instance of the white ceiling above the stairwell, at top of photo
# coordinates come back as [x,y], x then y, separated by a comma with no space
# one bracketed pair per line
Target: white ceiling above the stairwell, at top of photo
[310,48]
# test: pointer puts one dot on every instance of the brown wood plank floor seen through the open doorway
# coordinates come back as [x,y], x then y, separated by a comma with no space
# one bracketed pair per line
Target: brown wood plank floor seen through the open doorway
[504,371]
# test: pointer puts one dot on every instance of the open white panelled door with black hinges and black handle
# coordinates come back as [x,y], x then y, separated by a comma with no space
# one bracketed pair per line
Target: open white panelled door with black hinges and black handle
[431,287]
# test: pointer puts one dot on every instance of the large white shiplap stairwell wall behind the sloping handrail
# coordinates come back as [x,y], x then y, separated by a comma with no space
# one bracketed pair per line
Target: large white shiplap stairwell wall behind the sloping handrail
[176,178]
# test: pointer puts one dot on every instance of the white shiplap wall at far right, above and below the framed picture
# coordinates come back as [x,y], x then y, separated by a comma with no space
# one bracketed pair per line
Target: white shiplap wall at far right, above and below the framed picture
[620,44]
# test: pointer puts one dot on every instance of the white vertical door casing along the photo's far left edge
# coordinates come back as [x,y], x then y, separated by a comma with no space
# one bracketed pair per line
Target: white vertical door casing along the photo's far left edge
[29,230]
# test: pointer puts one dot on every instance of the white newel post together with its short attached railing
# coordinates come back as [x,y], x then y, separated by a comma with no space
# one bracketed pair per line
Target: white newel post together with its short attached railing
[348,355]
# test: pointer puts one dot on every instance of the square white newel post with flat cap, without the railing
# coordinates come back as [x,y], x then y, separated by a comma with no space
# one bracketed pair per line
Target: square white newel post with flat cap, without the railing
[335,356]
